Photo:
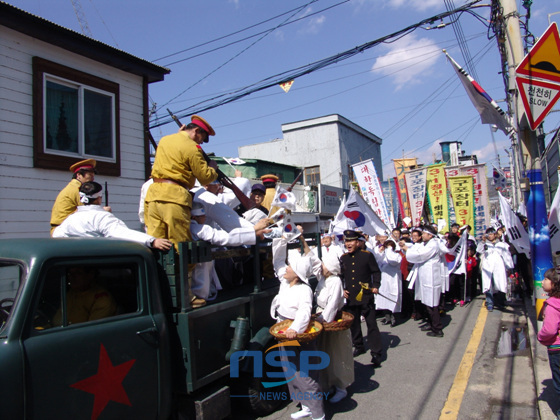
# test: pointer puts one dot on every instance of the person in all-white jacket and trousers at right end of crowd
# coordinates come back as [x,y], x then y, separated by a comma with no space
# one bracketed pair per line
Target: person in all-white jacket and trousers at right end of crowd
[495,261]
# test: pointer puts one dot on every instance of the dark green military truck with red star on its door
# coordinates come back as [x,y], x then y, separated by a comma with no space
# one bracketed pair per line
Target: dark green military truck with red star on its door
[145,353]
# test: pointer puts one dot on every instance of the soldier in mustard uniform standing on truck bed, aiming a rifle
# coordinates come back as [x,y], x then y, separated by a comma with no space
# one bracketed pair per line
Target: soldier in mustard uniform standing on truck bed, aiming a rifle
[178,164]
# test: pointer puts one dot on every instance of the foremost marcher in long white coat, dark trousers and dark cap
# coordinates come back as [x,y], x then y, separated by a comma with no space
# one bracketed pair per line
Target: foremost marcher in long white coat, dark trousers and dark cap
[426,277]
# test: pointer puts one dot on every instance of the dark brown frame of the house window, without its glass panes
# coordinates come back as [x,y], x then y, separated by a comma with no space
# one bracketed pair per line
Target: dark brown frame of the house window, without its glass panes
[44,70]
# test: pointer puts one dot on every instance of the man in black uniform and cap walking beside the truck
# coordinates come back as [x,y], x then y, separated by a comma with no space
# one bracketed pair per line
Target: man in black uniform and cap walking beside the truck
[362,279]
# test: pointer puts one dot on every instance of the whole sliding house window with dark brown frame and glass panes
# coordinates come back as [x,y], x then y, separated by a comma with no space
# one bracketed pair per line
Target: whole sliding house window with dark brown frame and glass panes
[76,116]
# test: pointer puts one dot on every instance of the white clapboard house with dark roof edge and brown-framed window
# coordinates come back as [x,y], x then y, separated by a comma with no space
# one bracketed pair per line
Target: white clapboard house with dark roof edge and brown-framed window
[65,97]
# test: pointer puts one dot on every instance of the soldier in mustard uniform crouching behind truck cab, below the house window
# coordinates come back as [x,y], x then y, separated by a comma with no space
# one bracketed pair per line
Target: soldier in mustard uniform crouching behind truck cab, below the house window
[68,199]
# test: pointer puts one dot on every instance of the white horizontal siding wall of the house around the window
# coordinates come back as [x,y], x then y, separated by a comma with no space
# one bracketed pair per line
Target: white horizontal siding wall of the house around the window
[26,193]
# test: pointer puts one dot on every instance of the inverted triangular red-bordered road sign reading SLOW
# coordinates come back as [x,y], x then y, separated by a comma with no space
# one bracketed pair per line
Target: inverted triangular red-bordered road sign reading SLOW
[538,98]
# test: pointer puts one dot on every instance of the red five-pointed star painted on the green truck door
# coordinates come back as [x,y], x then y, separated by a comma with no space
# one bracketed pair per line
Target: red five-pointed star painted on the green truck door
[106,384]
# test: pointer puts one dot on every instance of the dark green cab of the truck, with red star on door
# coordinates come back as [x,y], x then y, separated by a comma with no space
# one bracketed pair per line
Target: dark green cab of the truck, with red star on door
[57,363]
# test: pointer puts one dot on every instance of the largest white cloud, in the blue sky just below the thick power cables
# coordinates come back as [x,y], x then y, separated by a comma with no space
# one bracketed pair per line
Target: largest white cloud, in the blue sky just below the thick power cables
[407,59]
